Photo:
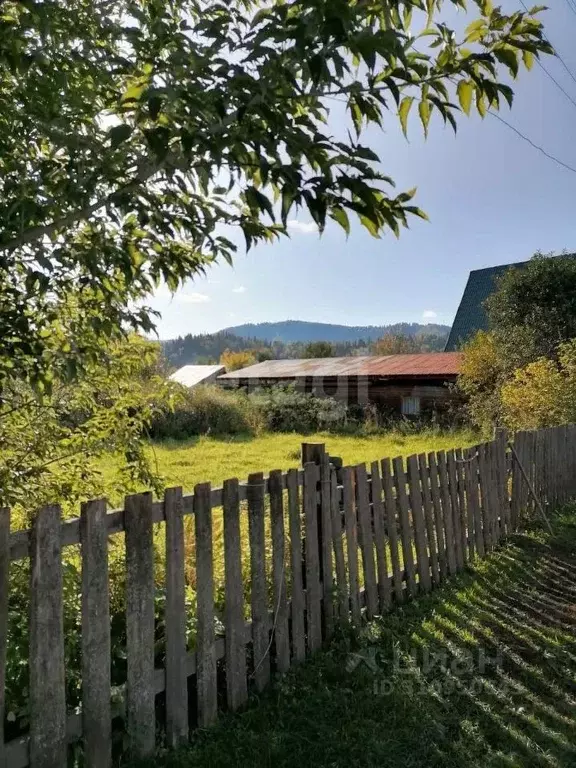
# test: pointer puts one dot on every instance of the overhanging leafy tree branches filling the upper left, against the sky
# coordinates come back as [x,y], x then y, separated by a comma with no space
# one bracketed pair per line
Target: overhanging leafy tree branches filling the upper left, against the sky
[137,136]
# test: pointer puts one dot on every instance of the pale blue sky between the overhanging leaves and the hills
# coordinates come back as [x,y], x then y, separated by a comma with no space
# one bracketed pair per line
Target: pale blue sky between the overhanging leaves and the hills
[491,199]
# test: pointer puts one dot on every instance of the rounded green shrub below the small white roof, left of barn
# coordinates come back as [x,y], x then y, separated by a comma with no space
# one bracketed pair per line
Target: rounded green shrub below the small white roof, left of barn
[207,410]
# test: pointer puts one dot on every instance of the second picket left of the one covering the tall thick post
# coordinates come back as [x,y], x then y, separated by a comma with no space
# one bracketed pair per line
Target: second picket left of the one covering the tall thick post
[281,631]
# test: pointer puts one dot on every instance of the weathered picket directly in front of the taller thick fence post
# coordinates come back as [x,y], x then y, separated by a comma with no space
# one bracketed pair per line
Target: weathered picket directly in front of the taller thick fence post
[313,593]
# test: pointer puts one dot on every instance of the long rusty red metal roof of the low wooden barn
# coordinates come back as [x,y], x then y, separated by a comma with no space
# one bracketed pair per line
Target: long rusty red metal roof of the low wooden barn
[431,365]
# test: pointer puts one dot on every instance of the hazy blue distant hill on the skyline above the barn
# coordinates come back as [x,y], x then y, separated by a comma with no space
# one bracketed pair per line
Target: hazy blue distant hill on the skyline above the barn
[300,330]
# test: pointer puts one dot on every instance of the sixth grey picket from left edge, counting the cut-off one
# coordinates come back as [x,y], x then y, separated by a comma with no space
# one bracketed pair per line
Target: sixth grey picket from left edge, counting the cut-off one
[206,682]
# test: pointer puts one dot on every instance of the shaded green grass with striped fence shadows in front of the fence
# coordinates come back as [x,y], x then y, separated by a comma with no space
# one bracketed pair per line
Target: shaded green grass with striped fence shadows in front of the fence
[518,607]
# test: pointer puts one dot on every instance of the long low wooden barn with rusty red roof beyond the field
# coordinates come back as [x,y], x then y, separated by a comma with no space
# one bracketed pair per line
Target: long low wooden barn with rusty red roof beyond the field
[411,385]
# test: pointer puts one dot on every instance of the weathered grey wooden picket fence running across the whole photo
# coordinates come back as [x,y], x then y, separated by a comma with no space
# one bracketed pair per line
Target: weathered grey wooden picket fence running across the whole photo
[326,545]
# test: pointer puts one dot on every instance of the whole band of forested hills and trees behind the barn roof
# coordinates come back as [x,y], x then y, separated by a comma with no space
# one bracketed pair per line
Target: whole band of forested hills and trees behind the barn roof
[207,348]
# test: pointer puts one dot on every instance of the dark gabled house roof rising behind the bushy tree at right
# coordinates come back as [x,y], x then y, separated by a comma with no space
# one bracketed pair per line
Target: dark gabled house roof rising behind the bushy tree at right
[471,315]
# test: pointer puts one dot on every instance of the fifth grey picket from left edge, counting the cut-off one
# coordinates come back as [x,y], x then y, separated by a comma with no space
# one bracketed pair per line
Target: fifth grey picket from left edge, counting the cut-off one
[176,679]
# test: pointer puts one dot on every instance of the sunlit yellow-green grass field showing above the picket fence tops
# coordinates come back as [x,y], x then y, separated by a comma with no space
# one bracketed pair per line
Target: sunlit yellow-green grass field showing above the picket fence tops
[207,459]
